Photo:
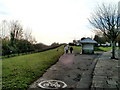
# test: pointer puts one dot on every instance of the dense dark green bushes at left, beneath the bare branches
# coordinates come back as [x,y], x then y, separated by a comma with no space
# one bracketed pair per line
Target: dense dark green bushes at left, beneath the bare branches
[21,46]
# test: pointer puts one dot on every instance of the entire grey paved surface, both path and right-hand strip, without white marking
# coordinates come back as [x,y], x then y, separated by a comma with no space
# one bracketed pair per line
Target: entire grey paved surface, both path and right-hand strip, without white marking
[84,71]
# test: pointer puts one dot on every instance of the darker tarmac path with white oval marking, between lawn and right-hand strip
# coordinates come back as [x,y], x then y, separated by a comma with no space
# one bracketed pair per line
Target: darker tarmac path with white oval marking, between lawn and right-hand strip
[74,69]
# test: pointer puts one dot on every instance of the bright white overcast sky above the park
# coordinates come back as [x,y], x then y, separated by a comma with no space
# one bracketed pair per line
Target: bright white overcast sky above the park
[51,21]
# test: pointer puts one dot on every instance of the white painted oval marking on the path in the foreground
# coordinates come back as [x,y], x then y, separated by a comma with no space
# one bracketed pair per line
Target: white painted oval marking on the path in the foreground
[52,84]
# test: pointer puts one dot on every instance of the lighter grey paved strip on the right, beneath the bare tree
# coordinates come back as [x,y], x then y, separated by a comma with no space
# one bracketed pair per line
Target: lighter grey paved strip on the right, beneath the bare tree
[106,72]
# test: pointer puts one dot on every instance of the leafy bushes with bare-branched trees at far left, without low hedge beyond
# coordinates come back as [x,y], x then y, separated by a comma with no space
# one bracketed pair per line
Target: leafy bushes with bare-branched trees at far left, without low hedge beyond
[13,41]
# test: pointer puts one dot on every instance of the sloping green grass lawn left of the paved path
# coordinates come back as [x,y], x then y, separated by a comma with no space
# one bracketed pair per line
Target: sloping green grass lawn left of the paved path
[21,71]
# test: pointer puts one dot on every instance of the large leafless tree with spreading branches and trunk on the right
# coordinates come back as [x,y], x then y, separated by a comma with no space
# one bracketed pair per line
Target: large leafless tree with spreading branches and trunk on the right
[107,19]
